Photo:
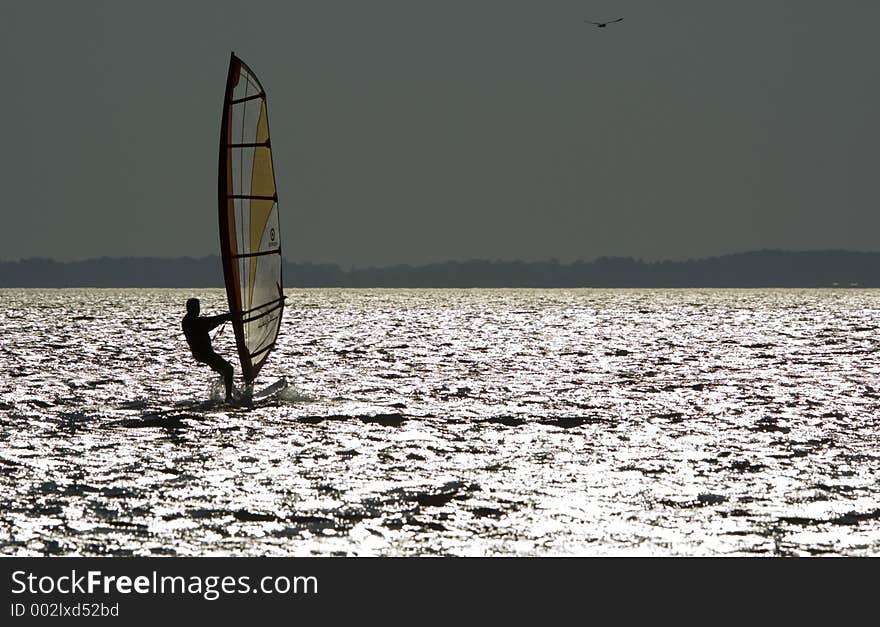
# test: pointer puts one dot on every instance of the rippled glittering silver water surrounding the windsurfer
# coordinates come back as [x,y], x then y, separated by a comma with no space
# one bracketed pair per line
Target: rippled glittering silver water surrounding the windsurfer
[447,422]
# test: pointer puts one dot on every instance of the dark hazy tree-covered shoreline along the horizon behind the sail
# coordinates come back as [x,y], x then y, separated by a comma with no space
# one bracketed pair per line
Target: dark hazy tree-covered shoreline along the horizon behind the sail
[764,268]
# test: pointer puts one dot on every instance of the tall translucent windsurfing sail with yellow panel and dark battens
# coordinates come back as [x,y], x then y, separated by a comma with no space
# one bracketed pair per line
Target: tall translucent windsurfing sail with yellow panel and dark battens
[250,236]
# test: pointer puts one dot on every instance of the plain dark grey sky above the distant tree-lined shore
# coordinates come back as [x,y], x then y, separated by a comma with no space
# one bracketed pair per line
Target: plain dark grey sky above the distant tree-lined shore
[409,131]
